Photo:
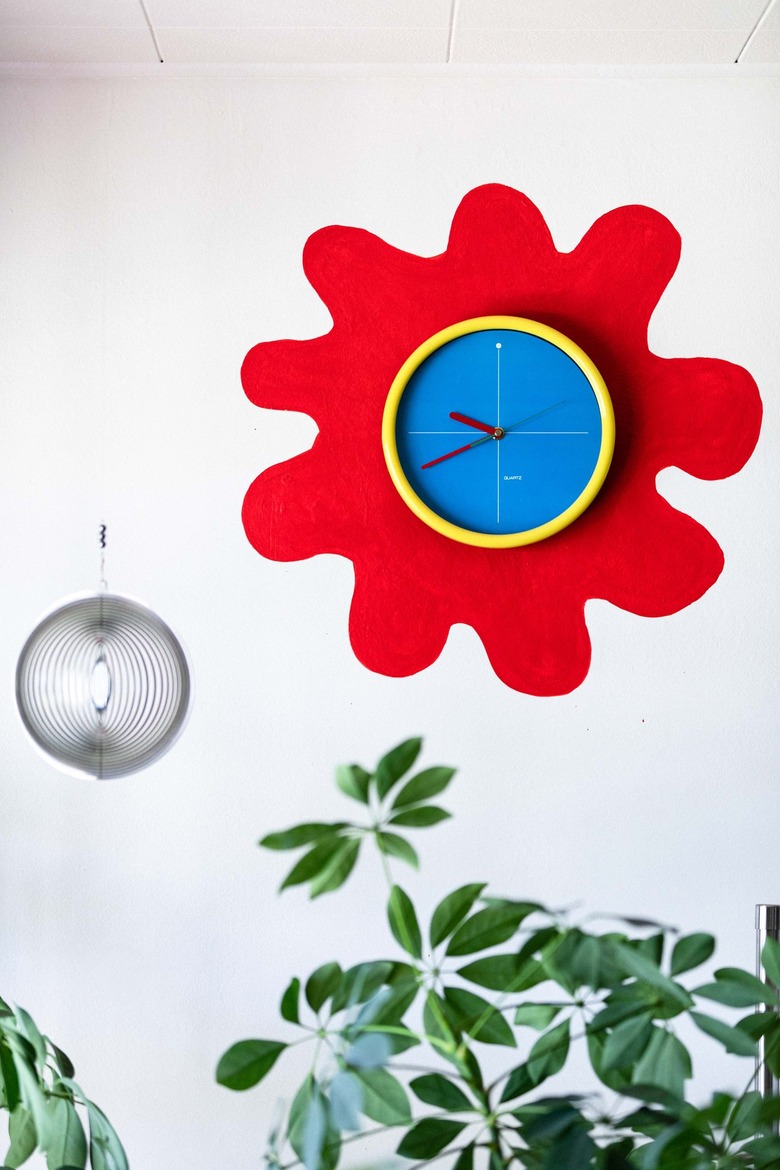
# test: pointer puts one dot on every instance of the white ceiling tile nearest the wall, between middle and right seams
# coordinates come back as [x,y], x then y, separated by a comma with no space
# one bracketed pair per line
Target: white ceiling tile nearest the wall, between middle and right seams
[516,47]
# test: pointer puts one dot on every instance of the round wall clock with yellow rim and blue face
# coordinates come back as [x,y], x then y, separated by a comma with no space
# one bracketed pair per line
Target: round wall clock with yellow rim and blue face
[499,432]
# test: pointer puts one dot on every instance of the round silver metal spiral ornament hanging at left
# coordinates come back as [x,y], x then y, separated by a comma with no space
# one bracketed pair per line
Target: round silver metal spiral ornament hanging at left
[103,686]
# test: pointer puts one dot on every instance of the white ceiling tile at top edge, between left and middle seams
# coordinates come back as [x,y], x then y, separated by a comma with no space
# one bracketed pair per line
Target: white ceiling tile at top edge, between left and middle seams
[300,13]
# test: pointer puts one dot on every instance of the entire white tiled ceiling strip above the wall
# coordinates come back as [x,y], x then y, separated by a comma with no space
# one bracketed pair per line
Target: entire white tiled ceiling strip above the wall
[390,32]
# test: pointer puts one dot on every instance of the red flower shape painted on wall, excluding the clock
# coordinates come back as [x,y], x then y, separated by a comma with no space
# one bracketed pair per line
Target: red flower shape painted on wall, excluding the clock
[527,604]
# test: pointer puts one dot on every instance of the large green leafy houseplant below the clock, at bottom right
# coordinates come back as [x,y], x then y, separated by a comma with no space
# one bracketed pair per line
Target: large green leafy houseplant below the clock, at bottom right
[514,975]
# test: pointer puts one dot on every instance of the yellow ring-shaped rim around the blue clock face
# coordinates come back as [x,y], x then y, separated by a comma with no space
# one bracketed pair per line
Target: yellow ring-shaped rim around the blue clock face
[503,540]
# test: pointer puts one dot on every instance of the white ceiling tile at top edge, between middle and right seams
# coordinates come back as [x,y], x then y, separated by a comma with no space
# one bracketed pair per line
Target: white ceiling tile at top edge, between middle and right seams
[611,16]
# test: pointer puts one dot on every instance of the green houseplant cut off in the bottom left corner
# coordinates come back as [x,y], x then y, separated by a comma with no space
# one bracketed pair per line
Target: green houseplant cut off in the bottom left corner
[46,1106]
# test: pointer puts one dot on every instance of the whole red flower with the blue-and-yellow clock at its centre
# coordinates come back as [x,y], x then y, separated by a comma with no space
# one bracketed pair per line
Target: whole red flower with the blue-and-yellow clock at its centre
[403,356]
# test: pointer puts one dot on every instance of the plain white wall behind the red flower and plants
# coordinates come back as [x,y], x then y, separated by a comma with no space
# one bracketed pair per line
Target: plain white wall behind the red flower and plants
[151,233]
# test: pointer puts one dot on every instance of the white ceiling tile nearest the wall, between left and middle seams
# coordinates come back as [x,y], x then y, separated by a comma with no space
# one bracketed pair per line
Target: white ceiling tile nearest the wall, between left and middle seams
[302,46]
